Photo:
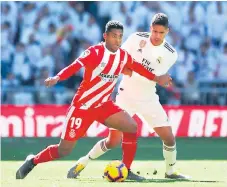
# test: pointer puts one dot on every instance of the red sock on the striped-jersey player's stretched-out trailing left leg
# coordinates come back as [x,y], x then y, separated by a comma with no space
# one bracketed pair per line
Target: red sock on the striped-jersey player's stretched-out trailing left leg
[48,154]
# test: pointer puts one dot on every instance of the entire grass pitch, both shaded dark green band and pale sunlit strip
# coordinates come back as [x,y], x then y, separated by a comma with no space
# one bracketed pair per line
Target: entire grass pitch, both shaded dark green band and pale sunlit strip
[205,159]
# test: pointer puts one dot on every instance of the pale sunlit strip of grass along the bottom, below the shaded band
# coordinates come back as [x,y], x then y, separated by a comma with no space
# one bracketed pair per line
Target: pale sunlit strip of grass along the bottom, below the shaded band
[204,174]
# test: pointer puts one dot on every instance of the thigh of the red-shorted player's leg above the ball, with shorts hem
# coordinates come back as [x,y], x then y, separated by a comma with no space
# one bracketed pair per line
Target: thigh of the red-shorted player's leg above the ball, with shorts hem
[113,116]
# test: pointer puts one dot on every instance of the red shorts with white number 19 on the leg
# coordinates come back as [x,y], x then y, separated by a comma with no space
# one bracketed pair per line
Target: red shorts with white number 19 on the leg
[78,121]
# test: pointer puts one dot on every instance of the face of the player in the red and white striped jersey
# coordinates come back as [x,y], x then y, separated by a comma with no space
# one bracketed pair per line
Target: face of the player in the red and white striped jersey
[113,39]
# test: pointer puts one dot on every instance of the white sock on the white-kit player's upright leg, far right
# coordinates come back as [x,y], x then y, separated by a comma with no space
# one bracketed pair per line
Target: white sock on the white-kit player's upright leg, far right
[170,155]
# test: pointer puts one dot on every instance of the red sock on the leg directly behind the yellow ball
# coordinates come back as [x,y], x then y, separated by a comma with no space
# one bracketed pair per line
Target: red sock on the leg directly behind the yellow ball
[129,146]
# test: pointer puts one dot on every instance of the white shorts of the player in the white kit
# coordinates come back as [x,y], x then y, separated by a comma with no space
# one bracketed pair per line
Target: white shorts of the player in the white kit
[152,111]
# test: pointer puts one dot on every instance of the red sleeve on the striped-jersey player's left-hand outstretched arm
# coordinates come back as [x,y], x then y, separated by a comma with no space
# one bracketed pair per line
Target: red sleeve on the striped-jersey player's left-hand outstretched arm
[84,60]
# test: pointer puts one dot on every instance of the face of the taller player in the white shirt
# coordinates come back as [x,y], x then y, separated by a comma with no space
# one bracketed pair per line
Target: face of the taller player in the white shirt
[158,33]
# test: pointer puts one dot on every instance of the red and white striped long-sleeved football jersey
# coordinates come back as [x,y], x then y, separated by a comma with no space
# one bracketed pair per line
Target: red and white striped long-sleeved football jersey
[102,69]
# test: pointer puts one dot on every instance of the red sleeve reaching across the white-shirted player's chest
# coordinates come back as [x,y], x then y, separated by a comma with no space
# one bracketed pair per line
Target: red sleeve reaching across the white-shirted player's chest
[137,67]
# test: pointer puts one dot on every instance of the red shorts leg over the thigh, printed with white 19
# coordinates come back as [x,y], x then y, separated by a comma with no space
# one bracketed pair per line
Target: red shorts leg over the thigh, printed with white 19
[76,124]
